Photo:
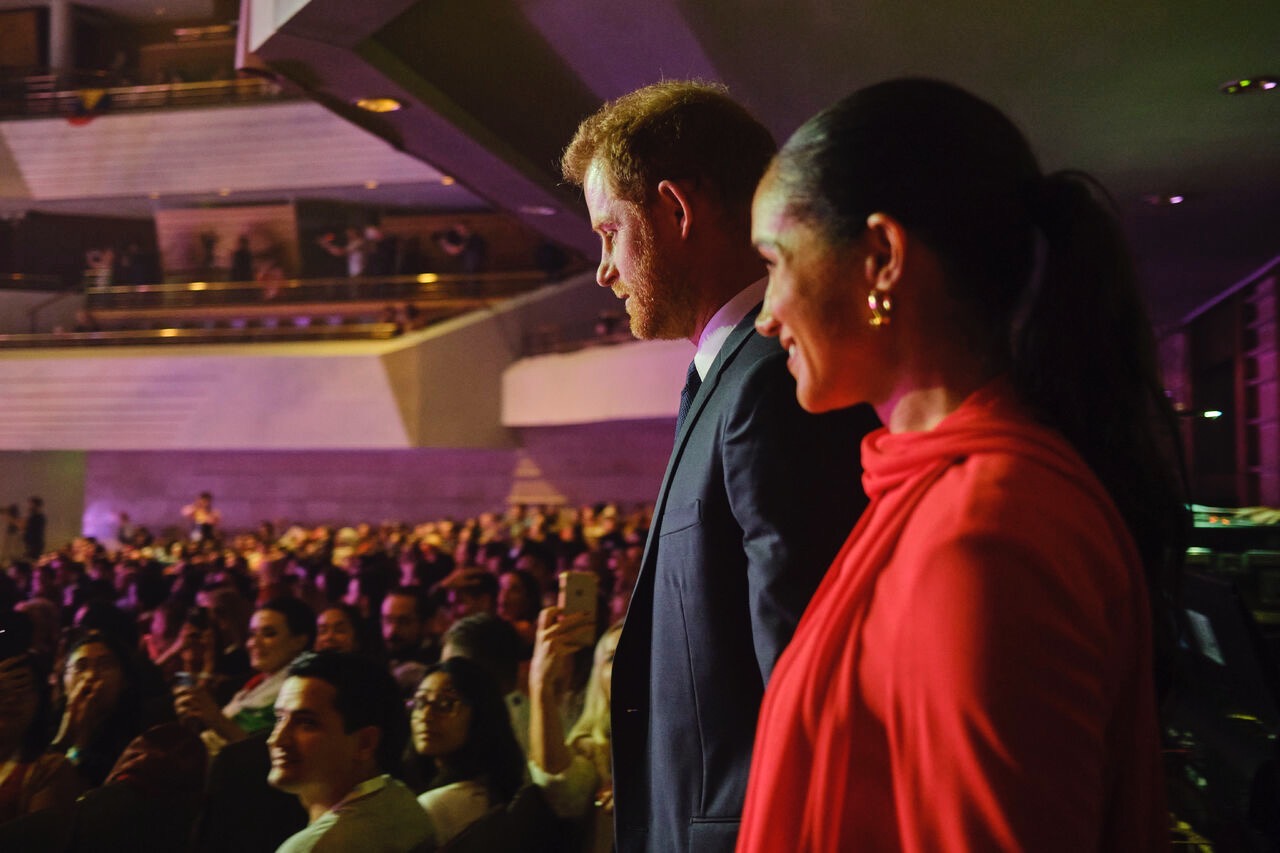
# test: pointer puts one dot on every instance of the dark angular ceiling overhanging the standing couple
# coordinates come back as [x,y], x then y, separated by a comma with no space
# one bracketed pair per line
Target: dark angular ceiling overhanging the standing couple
[493,89]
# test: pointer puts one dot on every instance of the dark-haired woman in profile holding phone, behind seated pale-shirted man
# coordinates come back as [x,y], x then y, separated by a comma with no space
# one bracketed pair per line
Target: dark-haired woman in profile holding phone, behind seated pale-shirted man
[280,631]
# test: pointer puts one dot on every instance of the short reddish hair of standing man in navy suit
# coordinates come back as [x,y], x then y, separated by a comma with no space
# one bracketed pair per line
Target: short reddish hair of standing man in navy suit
[674,130]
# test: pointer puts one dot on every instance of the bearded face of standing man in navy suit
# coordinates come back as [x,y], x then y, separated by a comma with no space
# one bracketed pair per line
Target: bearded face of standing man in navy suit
[634,263]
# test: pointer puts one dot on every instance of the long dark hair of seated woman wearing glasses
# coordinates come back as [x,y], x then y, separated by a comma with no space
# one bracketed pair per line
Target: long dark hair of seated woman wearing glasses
[491,754]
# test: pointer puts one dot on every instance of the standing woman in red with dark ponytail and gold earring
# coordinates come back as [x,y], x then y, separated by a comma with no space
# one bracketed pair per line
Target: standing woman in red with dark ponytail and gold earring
[976,672]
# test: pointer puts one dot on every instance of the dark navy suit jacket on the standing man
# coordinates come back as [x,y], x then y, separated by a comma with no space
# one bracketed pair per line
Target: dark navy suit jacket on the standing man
[757,500]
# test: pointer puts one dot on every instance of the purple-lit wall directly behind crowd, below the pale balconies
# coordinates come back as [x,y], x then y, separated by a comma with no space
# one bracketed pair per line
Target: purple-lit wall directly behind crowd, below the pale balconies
[620,462]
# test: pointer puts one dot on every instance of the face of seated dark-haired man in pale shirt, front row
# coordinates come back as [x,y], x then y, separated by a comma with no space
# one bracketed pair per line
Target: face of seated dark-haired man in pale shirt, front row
[312,756]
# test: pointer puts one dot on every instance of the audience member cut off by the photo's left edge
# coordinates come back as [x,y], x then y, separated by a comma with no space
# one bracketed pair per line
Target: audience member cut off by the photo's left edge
[31,779]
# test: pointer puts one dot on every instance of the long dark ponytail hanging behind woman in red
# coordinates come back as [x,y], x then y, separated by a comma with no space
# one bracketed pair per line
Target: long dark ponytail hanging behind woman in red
[1085,359]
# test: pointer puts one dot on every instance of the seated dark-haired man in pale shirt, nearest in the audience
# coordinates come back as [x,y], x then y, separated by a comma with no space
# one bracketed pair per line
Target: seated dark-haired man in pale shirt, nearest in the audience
[340,732]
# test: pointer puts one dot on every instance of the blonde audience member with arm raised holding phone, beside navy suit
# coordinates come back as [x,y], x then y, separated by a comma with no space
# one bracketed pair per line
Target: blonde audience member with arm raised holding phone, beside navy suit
[573,770]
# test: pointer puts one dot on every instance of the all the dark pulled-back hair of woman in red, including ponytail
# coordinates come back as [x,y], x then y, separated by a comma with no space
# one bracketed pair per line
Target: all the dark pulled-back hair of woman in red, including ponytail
[963,180]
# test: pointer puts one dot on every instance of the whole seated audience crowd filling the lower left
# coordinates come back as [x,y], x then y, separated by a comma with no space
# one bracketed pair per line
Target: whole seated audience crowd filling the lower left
[213,692]
